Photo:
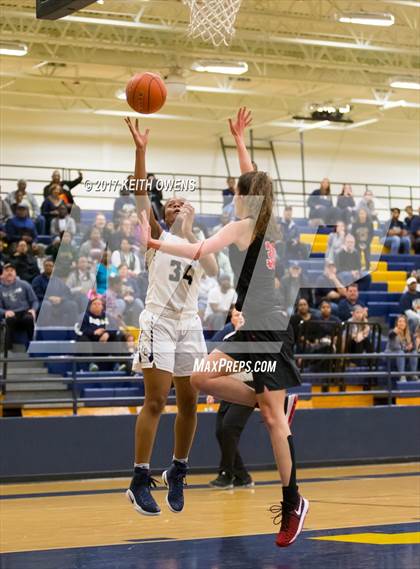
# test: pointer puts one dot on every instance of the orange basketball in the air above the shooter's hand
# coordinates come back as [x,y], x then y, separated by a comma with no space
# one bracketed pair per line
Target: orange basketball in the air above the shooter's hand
[146,93]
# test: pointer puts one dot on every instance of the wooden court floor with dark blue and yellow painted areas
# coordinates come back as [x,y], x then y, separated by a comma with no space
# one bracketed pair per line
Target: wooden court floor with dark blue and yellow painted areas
[360,517]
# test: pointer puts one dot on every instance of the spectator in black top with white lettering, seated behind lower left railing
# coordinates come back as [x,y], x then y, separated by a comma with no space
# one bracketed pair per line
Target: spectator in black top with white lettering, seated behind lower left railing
[97,326]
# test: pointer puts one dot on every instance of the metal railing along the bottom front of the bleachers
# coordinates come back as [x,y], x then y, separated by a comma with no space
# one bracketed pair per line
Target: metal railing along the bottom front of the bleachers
[74,381]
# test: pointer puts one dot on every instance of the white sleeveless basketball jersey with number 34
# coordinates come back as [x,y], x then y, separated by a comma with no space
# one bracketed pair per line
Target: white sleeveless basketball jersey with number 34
[173,282]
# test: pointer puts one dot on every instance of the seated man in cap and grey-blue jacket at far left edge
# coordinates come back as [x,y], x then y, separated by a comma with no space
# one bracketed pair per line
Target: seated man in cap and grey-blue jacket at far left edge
[18,306]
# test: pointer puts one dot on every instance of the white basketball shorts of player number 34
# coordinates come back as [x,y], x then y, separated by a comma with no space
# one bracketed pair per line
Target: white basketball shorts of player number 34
[168,344]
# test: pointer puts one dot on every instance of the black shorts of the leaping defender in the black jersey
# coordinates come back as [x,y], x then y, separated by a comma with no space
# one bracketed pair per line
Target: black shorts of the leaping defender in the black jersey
[274,368]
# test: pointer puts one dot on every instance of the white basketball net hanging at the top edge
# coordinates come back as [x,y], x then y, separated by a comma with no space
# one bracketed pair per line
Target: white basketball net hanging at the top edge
[213,20]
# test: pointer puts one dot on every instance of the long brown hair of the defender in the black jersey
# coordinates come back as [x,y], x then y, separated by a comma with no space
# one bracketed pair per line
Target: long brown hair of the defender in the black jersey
[259,184]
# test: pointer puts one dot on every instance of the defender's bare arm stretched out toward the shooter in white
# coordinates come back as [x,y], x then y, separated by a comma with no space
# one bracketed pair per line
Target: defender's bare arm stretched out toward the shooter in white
[230,233]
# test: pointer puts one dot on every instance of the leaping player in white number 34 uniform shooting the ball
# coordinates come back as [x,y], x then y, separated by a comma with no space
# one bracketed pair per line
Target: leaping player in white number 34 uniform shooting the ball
[171,338]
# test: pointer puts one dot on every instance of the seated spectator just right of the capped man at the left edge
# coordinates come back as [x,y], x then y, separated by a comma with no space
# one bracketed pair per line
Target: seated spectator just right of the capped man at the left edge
[57,307]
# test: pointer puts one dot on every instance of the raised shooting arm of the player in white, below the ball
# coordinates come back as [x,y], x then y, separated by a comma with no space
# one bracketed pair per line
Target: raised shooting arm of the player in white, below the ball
[140,174]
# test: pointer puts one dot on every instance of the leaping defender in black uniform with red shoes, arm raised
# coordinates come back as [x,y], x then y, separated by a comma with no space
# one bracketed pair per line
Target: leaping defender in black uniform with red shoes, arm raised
[266,337]
